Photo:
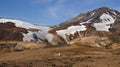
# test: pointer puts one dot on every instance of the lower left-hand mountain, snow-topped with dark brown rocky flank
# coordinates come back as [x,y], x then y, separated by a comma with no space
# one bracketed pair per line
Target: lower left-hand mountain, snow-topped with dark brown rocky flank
[15,30]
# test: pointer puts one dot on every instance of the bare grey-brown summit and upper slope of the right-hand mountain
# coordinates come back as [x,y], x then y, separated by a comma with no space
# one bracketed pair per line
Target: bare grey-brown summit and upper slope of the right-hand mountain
[92,16]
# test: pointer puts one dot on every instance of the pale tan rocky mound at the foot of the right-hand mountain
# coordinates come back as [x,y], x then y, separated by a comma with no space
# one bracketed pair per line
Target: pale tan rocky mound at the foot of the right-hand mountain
[91,41]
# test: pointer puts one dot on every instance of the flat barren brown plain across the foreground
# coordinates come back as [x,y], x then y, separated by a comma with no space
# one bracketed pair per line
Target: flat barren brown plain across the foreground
[71,56]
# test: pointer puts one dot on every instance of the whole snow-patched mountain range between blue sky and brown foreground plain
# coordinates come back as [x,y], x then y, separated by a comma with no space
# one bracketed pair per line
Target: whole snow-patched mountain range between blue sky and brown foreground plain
[98,27]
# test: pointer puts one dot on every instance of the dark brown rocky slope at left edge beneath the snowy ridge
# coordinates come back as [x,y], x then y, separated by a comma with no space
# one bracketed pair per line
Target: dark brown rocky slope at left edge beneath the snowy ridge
[8,31]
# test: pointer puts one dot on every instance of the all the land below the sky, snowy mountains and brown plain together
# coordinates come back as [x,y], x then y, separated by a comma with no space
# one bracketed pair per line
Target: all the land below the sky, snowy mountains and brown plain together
[91,39]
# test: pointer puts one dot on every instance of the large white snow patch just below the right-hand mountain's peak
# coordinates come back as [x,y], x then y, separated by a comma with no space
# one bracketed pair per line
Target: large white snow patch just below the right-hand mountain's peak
[104,25]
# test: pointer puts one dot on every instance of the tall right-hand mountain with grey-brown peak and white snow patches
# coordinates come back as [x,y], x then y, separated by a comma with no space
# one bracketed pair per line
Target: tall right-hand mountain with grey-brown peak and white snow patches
[103,22]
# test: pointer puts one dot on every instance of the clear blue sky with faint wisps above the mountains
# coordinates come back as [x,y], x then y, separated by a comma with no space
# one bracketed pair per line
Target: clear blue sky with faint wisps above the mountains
[50,12]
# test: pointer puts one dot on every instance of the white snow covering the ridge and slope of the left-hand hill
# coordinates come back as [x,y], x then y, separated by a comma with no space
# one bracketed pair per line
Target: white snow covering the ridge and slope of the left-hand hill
[29,36]
